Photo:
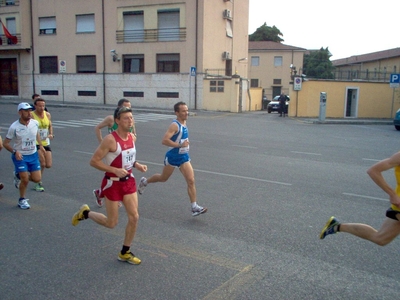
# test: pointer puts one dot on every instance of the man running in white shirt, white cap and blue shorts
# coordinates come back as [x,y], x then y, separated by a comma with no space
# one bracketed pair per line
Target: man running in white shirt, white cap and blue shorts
[25,133]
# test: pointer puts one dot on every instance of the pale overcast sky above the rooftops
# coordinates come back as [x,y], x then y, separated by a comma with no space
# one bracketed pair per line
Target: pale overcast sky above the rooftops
[347,28]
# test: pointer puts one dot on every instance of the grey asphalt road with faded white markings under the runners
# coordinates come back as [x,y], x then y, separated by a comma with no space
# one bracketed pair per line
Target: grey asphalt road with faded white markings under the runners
[270,185]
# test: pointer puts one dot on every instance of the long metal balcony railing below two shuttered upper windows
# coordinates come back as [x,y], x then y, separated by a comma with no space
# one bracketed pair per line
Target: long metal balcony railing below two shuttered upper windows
[151,35]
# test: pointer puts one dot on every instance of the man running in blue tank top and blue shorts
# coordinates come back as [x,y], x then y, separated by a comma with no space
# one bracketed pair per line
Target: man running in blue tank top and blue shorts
[177,156]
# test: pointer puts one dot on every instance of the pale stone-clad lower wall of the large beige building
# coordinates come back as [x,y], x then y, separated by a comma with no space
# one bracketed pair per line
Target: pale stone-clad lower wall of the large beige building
[68,86]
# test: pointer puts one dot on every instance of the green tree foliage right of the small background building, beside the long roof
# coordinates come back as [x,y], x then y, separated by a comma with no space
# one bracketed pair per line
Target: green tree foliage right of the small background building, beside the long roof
[317,64]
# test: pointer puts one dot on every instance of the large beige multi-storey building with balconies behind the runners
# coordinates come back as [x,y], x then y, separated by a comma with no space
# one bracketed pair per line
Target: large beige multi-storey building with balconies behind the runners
[153,52]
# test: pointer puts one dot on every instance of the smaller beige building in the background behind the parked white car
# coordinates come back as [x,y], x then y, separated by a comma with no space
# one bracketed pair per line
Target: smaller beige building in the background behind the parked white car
[272,65]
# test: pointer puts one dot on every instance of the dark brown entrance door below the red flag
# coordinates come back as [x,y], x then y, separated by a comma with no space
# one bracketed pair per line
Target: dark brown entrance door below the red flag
[8,77]
